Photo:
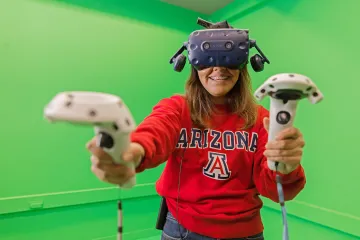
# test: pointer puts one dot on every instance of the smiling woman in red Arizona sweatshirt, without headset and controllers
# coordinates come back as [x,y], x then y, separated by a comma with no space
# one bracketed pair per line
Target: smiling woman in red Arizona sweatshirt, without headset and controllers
[214,140]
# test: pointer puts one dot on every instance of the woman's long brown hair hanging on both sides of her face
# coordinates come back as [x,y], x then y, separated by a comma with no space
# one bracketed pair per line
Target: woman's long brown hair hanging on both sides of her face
[239,100]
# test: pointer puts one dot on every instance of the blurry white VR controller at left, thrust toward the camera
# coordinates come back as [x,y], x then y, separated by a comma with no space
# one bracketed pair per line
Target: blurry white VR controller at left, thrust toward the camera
[108,114]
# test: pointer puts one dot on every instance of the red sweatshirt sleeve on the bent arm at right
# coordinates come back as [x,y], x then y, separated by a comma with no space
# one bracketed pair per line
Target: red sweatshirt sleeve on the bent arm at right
[265,179]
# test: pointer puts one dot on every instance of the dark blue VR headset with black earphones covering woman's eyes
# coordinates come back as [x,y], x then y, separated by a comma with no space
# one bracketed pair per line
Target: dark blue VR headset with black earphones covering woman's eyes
[219,45]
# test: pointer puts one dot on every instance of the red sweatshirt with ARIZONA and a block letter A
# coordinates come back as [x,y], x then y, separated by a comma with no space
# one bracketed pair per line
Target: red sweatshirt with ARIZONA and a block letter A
[223,170]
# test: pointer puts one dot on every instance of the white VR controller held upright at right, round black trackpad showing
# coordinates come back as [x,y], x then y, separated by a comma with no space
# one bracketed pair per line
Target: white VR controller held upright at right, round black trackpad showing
[285,90]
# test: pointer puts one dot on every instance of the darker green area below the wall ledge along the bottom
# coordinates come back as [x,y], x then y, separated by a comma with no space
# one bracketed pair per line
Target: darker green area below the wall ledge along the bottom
[98,222]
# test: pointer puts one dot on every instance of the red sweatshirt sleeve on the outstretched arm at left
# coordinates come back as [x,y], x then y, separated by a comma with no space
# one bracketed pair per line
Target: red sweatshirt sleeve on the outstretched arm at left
[158,133]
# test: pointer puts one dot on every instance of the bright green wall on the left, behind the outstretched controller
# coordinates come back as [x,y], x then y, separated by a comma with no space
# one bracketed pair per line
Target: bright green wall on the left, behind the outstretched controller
[51,46]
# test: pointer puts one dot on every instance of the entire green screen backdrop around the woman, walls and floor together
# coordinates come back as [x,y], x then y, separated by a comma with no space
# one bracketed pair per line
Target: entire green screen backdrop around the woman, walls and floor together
[47,190]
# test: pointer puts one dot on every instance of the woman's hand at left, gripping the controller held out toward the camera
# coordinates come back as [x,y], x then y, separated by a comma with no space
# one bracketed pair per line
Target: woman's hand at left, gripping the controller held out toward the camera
[107,170]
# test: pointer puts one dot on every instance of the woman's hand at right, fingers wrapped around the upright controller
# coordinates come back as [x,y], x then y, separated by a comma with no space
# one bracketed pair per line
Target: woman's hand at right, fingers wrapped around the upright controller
[286,148]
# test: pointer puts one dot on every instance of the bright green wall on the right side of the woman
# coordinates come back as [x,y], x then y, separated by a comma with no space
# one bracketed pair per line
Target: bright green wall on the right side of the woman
[319,39]
